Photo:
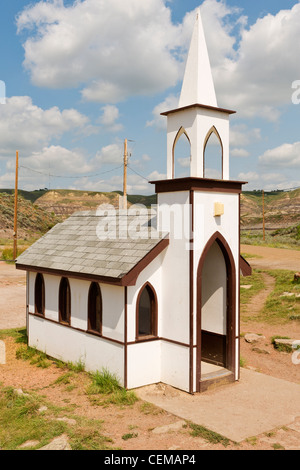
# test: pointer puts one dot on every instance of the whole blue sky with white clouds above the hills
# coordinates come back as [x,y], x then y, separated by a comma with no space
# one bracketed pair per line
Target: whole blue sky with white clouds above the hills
[82,76]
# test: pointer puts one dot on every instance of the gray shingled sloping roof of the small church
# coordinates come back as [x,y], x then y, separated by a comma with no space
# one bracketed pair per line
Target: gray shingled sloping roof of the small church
[91,244]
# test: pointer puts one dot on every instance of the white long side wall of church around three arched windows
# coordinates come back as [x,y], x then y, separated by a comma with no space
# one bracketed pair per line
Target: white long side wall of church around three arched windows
[73,343]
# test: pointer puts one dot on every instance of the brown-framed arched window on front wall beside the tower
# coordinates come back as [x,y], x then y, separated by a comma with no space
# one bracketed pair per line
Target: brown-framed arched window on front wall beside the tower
[146,313]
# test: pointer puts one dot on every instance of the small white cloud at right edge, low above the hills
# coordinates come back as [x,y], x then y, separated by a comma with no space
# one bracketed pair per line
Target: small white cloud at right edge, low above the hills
[286,155]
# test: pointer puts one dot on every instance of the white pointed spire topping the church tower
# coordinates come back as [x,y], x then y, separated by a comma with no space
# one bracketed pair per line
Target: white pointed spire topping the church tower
[198,86]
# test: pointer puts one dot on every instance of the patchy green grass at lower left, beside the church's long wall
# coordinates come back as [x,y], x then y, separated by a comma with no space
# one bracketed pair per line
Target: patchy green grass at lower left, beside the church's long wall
[29,417]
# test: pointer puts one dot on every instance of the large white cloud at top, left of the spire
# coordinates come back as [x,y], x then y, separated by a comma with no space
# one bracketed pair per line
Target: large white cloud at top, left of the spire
[115,49]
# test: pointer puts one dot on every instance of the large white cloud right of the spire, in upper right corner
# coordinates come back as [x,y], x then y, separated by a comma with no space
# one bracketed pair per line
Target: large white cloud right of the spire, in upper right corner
[255,76]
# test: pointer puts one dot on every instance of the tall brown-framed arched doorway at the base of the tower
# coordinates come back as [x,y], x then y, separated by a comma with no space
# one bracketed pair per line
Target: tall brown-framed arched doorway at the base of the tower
[216,308]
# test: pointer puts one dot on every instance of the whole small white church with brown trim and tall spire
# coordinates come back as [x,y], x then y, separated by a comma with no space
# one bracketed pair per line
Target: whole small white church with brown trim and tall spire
[152,297]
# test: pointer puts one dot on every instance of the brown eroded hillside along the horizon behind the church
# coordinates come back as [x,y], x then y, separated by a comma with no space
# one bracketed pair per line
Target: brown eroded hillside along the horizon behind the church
[41,209]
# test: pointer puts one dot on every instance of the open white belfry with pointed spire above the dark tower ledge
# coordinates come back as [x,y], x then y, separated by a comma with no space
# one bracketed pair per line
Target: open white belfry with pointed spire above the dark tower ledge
[198,115]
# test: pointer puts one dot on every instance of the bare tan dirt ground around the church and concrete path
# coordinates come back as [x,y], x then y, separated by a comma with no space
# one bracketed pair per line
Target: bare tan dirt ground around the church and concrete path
[144,422]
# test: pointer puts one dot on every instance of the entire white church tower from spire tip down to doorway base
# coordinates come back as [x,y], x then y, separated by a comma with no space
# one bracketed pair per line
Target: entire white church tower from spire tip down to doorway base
[201,214]
